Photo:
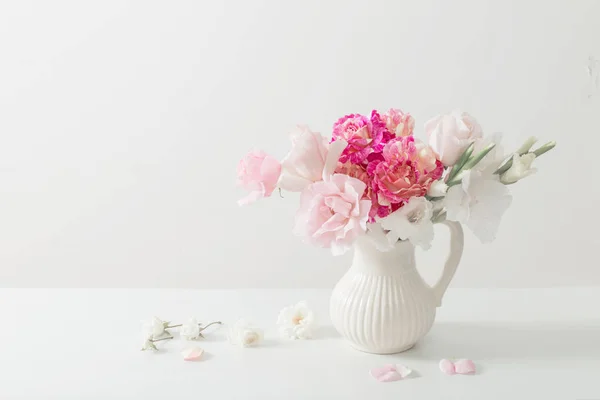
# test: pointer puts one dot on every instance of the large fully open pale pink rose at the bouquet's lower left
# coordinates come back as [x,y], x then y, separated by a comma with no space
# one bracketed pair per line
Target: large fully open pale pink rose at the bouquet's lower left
[332,213]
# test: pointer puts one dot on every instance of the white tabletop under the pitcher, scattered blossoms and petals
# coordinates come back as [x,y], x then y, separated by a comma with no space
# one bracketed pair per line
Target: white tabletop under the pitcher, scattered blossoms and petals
[84,344]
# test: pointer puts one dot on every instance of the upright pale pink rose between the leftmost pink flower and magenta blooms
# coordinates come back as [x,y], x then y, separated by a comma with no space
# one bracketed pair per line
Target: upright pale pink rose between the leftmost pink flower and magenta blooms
[310,160]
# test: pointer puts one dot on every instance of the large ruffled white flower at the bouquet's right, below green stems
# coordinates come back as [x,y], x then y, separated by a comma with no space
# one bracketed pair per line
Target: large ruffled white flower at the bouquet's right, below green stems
[479,202]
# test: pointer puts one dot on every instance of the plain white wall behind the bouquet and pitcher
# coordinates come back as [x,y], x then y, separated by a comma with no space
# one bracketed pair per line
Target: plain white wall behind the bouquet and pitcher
[121,124]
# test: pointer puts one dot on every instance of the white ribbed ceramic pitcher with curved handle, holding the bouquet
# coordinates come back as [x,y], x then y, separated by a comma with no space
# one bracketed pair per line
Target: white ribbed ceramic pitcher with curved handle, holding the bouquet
[382,304]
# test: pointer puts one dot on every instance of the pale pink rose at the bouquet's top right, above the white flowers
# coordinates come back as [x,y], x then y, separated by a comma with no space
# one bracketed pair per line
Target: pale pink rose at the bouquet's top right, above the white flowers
[450,135]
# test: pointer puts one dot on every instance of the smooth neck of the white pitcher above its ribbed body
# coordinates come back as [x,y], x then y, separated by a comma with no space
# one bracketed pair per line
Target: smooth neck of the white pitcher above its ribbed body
[368,259]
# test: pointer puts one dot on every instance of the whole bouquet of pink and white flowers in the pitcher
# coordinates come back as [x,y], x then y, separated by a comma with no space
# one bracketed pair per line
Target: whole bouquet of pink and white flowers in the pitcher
[374,178]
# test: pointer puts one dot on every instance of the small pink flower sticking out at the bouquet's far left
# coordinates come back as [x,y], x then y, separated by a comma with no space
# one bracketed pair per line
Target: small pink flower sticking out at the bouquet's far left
[258,173]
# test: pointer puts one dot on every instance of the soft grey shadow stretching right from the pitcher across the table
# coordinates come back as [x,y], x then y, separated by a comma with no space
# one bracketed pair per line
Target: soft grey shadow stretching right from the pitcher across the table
[511,341]
